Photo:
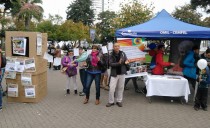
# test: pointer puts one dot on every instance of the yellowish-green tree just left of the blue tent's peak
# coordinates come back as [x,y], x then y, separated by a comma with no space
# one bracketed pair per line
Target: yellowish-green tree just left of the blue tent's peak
[133,13]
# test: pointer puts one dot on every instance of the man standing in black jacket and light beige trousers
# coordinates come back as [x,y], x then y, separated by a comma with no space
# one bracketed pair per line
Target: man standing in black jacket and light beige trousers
[117,62]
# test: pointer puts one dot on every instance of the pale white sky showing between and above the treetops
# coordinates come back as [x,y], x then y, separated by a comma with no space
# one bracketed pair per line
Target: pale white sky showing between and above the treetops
[60,6]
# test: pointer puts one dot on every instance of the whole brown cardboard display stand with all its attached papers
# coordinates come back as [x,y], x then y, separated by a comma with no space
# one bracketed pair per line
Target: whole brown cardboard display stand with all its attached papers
[25,63]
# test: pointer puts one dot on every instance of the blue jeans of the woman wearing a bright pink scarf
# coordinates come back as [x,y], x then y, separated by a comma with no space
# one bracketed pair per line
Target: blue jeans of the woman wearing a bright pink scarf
[90,78]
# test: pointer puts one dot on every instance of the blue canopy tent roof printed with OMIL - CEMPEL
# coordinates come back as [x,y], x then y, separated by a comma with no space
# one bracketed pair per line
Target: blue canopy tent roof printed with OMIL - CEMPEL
[164,26]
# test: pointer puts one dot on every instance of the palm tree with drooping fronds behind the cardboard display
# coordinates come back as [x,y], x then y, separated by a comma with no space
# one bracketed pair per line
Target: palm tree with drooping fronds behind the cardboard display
[28,9]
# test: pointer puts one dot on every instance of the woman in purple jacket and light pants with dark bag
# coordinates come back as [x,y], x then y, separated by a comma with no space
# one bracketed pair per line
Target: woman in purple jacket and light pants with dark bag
[71,71]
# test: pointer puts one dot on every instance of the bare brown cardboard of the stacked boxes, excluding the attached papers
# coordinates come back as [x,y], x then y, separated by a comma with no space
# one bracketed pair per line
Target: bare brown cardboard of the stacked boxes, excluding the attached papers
[39,77]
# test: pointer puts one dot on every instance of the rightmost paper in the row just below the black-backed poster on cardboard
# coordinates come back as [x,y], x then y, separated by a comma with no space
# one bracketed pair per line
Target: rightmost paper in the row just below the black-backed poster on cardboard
[30,65]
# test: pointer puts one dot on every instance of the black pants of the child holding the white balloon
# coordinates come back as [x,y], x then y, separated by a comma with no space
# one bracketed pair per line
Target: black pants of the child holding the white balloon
[201,98]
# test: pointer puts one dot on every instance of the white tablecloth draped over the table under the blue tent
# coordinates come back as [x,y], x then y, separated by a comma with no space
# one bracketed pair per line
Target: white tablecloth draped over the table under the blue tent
[165,85]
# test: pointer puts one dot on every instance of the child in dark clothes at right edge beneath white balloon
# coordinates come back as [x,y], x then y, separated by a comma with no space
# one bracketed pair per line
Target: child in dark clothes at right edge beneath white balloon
[202,92]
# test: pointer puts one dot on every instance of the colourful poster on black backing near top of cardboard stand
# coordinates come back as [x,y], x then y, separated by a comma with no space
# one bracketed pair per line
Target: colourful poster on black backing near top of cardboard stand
[19,45]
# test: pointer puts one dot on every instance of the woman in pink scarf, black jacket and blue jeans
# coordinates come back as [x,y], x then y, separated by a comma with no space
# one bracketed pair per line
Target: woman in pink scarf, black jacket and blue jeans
[93,72]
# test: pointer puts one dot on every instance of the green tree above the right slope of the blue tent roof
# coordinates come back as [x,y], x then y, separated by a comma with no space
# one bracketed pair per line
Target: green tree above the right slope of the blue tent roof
[187,14]
